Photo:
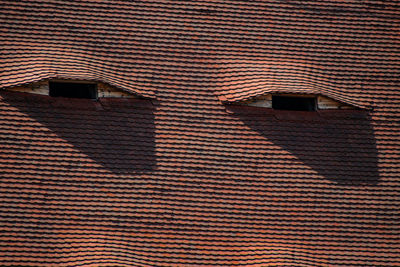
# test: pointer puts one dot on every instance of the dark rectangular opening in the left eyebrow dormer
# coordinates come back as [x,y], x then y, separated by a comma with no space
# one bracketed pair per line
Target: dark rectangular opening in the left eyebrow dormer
[73,90]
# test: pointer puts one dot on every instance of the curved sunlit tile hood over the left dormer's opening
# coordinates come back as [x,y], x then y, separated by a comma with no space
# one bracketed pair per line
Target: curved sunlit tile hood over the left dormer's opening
[34,68]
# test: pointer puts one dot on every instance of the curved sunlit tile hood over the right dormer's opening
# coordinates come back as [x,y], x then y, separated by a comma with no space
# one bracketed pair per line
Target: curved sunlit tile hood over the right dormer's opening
[244,80]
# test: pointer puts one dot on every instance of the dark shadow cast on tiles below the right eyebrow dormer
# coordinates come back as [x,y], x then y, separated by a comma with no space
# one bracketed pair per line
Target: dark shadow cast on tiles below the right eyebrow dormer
[340,145]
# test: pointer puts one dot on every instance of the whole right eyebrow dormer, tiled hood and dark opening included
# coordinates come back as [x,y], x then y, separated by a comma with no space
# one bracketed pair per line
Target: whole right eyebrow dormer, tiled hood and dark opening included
[281,85]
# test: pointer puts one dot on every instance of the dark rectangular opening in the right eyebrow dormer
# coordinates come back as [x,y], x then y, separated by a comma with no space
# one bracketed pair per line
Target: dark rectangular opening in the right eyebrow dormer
[293,103]
